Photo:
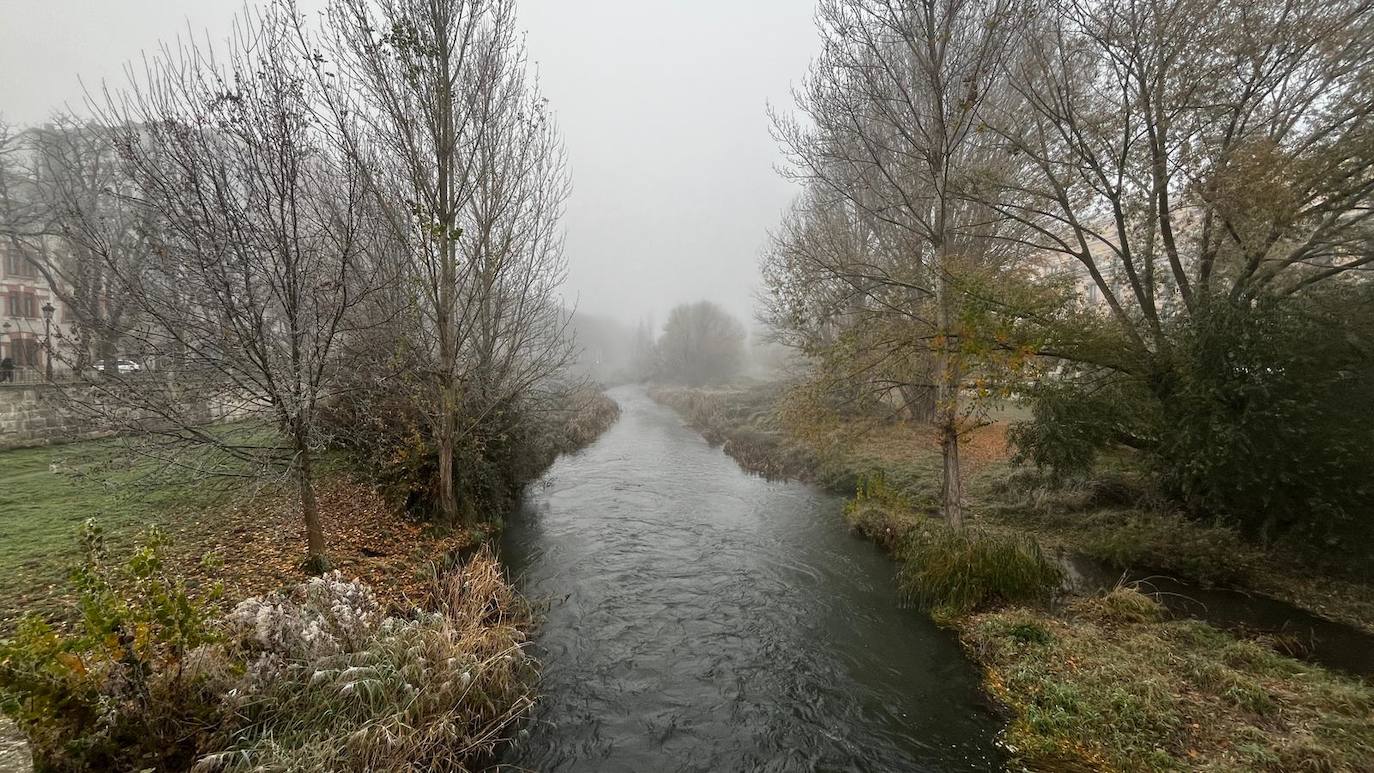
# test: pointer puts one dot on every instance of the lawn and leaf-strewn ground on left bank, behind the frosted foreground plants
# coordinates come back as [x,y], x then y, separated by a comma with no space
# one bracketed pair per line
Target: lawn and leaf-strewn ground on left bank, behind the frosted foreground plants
[255,540]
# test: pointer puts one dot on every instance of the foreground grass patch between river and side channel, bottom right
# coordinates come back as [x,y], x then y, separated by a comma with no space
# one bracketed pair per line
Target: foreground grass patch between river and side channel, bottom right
[1112,686]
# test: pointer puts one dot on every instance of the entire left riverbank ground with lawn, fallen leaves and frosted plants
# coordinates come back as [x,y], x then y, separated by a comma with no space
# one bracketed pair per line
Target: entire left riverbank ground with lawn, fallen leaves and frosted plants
[409,609]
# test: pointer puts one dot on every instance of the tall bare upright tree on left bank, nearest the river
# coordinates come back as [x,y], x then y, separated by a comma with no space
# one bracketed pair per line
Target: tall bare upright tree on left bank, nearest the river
[468,164]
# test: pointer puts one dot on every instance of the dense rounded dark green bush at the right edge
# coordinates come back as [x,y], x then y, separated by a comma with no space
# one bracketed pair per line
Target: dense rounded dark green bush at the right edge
[1272,419]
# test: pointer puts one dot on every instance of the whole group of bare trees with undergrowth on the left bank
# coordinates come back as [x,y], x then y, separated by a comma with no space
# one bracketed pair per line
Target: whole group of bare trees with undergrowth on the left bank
[335,231]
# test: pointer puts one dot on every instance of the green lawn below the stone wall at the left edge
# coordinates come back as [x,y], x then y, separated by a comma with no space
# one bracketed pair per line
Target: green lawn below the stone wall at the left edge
[47,494]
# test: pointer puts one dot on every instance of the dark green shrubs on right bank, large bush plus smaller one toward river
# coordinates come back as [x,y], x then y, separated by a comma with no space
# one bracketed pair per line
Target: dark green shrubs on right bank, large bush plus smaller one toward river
[1257,414]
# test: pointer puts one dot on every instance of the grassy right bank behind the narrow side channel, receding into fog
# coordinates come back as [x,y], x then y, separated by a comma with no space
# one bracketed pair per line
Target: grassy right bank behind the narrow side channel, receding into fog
[1115,517]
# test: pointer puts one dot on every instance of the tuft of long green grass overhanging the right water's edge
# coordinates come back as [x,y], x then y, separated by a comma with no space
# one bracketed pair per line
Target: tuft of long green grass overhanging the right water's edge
[956,572]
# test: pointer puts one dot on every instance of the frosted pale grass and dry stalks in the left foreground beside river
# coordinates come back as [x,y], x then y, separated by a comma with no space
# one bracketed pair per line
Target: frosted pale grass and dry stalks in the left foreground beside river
[333,686]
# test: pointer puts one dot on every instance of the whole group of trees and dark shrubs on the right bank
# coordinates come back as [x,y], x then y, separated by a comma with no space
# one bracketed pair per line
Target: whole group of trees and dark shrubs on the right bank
[1151,220]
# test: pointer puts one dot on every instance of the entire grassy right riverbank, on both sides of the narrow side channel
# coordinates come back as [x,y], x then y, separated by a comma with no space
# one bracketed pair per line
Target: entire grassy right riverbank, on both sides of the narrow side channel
[1104,683]
